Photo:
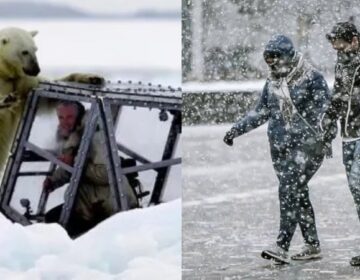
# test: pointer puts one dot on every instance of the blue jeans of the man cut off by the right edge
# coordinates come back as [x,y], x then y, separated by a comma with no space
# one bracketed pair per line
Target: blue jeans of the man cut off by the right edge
[351,159]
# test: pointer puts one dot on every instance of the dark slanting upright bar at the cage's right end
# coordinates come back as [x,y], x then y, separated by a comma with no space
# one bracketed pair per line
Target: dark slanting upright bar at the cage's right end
[170,146]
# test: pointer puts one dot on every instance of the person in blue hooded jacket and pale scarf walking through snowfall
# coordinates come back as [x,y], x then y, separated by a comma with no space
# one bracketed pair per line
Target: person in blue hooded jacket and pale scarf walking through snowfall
[293,100]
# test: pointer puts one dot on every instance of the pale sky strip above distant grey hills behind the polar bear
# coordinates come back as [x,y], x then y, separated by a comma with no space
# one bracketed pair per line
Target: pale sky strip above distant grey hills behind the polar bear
[115,6]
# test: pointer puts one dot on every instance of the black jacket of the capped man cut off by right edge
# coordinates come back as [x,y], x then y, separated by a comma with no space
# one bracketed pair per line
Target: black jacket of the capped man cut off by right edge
[345,104]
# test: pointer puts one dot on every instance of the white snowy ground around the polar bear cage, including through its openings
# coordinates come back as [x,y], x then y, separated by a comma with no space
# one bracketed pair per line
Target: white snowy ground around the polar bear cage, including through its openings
[140,244]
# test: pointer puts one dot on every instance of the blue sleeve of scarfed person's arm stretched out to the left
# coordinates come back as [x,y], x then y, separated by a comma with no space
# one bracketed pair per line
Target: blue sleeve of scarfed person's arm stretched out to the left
[256,117]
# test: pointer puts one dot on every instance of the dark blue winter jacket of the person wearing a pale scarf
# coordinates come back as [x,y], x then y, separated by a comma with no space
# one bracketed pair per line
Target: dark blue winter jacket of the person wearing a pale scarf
[300,126]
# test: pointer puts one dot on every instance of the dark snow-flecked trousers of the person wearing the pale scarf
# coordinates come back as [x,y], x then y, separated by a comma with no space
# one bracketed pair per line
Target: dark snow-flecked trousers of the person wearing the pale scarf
[294,168]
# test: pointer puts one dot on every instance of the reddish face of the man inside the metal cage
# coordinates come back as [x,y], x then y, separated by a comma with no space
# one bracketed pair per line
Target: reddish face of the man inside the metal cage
[67,115]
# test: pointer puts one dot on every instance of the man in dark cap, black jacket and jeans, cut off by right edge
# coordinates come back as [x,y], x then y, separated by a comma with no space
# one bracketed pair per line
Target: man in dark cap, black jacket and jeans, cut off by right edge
[345,105]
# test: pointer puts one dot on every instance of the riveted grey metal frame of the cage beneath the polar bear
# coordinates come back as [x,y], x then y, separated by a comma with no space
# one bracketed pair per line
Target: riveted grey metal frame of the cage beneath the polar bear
[103,101]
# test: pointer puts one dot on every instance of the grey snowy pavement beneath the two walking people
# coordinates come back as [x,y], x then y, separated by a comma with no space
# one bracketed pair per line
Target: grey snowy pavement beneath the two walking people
[231,211]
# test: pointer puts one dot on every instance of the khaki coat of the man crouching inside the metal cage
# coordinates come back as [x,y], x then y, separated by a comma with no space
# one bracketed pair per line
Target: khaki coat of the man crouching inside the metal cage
[94,194]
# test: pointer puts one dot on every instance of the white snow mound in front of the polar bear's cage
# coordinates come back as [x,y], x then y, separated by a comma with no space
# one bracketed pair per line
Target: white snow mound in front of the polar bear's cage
[138,244]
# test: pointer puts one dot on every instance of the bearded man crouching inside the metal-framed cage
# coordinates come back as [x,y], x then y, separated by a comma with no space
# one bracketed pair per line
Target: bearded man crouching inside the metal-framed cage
[93,203]
